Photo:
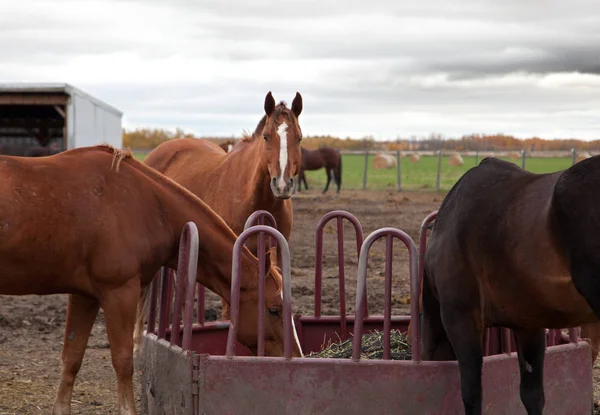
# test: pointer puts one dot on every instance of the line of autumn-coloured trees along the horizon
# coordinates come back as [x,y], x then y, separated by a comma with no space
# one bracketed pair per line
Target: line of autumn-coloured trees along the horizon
[149,138]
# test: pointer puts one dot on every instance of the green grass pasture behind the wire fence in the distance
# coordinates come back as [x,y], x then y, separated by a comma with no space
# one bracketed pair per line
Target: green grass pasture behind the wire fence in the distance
[415,176]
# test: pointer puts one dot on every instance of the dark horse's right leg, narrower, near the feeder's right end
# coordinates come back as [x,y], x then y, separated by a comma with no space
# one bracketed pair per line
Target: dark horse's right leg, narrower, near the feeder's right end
[531,346]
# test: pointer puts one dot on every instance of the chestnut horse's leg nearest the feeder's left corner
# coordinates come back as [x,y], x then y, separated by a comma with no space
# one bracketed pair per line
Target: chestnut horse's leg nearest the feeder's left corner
[119,307]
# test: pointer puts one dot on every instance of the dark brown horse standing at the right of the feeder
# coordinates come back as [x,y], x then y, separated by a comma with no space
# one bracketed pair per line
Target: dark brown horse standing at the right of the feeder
[514,249]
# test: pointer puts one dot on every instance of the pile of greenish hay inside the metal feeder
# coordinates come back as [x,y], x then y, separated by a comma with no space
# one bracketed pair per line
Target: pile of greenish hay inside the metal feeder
[372,347]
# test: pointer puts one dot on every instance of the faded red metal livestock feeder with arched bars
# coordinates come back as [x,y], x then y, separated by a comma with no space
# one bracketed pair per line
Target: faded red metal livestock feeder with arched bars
[208,372]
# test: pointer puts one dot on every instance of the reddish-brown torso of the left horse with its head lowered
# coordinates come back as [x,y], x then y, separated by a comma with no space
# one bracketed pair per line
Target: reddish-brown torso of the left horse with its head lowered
[76,202]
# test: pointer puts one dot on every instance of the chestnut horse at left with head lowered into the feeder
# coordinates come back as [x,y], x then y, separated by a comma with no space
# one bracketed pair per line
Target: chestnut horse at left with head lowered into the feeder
[97,224]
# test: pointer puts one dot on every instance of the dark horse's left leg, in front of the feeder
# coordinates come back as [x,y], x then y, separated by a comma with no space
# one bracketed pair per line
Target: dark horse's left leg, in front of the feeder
[464,326]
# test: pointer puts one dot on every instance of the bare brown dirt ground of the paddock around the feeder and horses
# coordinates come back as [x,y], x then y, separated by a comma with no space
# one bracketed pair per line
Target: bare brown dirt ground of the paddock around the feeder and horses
[31,327]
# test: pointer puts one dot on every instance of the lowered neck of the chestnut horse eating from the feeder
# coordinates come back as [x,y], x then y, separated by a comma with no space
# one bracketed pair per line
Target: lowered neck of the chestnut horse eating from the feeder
[216,239]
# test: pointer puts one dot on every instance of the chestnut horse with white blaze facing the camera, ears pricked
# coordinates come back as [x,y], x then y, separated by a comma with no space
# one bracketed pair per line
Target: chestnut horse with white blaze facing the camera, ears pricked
[257,174]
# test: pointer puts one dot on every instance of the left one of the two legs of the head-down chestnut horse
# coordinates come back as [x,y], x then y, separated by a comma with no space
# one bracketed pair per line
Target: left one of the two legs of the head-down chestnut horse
[81,314]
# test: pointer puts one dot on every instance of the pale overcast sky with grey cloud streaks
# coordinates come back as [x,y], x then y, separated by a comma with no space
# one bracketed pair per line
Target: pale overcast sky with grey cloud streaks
[381,68]
